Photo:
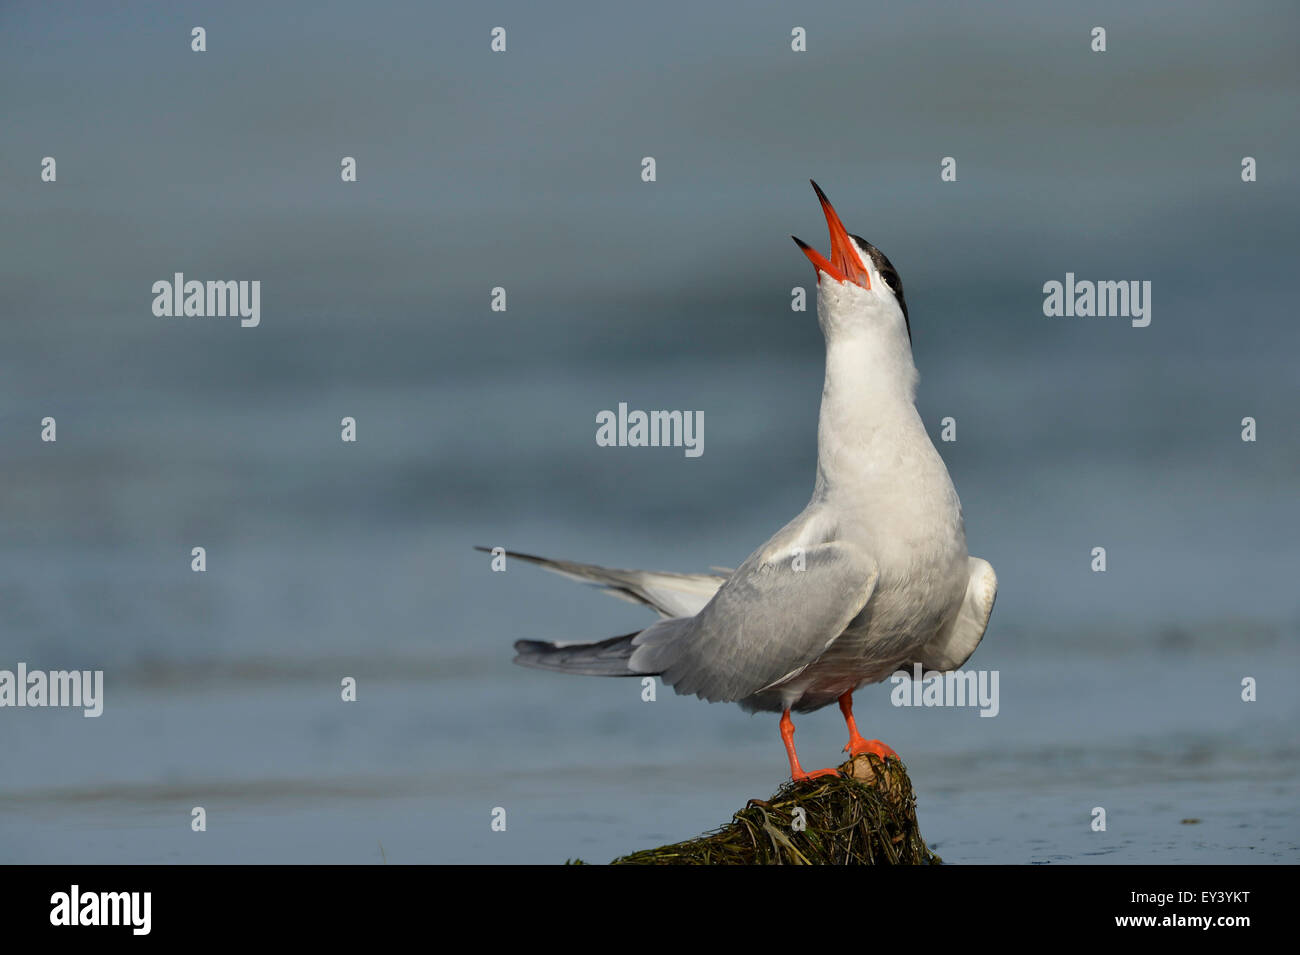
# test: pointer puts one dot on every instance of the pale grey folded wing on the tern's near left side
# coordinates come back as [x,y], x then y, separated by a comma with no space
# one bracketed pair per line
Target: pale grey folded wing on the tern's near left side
[768,622]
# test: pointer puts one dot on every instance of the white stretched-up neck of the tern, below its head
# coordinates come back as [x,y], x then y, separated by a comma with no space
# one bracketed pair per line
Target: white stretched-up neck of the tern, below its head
[868,407]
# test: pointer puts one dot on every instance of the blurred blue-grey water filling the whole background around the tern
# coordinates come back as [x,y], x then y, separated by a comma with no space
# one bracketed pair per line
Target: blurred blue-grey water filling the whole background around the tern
[327,561]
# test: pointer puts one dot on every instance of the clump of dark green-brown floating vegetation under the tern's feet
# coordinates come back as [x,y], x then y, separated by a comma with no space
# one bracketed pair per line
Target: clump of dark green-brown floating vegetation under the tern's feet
[866,815]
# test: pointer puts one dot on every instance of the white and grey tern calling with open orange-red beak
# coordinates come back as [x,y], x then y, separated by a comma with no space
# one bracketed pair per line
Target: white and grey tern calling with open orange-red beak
[870,579]
